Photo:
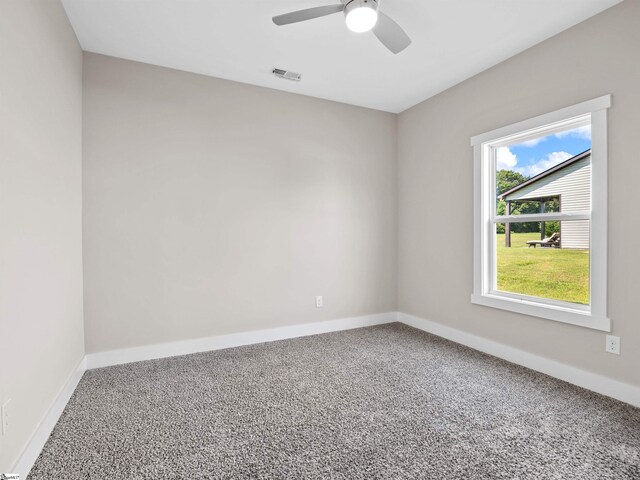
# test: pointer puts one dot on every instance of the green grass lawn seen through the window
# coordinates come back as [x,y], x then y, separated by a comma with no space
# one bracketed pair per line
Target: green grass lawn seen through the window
[554,273]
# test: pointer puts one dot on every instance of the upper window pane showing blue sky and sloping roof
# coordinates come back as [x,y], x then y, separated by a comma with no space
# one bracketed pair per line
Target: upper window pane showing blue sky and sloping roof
[551,173]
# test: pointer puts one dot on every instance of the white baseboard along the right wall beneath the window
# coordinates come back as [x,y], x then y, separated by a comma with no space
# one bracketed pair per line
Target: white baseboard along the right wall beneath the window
[589,380]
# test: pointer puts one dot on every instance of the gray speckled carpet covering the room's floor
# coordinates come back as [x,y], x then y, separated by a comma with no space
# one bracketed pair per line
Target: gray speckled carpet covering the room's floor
[375,403]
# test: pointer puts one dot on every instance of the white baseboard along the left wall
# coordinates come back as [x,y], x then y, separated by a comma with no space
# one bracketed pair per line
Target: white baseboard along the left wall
[39,438]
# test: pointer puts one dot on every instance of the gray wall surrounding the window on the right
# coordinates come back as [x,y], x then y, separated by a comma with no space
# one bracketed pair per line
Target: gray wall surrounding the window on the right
[594,58]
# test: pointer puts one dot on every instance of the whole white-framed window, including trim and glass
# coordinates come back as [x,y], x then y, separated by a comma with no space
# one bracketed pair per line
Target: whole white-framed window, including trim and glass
[540,219]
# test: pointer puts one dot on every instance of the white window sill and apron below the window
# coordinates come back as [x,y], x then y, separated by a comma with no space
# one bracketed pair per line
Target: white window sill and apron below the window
[550,312]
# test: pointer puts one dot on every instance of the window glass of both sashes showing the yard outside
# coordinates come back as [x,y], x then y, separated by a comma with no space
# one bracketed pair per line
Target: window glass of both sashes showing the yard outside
[541,176]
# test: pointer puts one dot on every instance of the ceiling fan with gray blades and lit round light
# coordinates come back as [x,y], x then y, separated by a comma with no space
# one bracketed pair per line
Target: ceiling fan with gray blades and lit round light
[360,16]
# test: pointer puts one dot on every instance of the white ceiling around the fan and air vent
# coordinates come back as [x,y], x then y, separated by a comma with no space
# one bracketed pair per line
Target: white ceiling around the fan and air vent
[236,39]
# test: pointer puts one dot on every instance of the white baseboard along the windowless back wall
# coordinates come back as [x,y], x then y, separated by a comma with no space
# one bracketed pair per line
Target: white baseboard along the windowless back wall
[185,347]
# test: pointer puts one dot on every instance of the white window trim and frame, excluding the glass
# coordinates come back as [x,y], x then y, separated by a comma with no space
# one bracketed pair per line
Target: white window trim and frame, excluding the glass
[592,316]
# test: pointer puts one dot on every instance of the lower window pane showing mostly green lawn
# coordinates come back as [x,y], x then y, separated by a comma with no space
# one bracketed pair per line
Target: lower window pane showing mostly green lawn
[552,265]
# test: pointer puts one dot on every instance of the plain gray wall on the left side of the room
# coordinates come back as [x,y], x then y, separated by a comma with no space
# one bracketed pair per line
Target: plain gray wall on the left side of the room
[40,210]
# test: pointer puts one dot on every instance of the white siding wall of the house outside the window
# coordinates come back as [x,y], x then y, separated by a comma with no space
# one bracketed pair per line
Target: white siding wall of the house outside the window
[573,184]
